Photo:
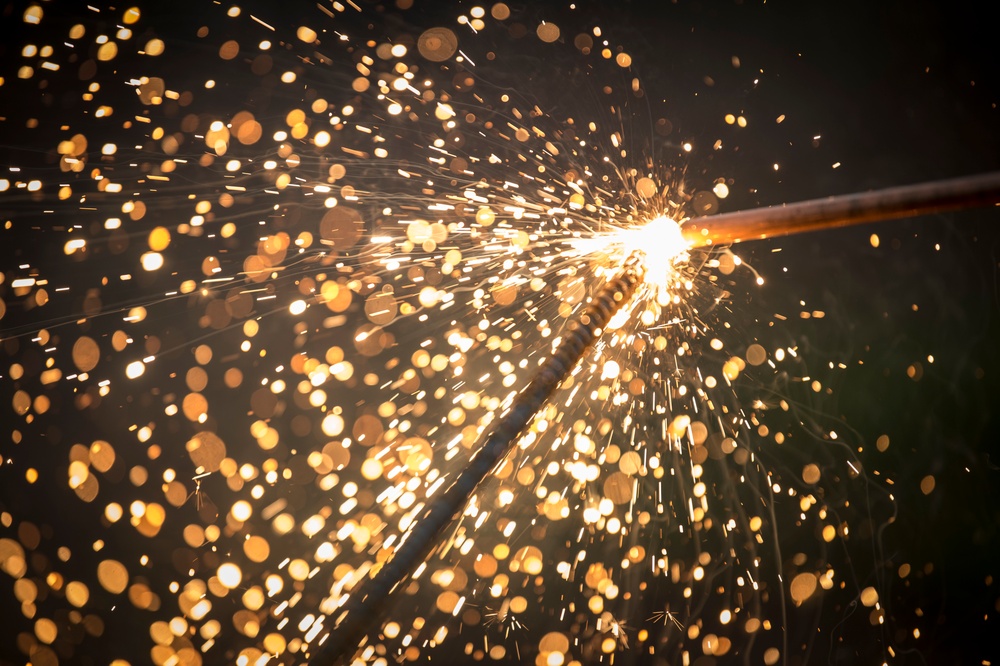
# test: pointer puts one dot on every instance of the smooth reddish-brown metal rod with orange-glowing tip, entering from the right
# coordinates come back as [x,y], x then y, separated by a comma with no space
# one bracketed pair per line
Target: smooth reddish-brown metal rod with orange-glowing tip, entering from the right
[846,210]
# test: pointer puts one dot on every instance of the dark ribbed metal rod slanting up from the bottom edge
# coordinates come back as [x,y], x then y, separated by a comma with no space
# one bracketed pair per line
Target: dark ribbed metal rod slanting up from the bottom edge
[365,607]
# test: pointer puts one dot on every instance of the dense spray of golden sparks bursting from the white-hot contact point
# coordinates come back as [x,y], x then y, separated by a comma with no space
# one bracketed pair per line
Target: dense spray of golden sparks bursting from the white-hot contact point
[274,309]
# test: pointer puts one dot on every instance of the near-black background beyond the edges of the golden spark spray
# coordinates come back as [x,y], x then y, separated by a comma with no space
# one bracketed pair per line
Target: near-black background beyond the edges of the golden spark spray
[898,92]
